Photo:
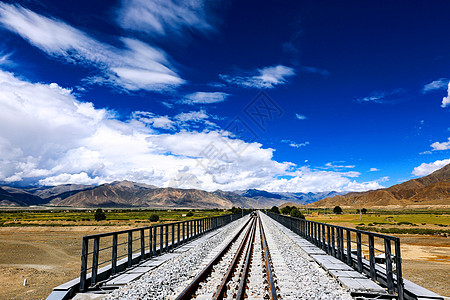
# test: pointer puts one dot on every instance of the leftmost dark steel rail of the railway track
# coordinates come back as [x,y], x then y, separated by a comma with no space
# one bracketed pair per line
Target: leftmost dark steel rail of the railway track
[189,291]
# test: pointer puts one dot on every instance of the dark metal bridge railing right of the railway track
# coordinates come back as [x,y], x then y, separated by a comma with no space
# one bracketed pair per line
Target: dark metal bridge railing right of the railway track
[367,252]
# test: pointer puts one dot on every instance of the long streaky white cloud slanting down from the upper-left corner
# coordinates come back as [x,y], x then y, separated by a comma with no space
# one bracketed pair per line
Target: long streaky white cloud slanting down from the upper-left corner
[135,66]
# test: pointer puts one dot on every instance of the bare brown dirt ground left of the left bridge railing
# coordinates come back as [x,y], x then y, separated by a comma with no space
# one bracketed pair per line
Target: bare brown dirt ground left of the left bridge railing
[45,256]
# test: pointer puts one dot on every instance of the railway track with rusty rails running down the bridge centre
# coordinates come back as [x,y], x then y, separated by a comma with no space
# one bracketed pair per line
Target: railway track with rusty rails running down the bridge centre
[242,269]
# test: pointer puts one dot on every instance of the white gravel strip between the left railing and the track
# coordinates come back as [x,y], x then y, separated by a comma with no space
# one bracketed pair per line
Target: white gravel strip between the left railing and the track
[170,278]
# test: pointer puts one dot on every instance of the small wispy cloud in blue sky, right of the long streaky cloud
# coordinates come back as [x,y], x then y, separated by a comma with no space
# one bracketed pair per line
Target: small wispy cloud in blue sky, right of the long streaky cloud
[267,77]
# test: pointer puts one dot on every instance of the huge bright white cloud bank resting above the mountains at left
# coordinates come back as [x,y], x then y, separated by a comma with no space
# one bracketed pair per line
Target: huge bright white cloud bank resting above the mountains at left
[49,136]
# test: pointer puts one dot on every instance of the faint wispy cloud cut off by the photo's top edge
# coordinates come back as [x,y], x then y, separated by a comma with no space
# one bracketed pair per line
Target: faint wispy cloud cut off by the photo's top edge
[159,17]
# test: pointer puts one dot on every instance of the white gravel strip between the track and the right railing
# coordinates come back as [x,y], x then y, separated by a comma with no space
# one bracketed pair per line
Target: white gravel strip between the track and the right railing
[296,277]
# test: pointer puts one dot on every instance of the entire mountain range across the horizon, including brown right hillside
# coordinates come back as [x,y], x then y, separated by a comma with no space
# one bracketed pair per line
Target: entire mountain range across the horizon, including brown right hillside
[433,189]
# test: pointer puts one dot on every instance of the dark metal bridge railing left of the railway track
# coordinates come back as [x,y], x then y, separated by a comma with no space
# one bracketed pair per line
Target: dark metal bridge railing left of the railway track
[107,254]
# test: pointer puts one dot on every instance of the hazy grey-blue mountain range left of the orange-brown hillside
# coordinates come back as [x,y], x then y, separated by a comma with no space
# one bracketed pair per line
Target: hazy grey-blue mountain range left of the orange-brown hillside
[131,194]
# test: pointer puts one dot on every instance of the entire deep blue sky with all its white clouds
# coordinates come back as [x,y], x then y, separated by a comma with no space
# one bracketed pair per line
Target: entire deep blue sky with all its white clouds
[304,96]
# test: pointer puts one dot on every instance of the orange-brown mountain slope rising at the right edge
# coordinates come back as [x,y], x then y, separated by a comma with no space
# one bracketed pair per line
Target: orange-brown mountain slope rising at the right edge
[433,189]
